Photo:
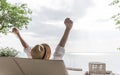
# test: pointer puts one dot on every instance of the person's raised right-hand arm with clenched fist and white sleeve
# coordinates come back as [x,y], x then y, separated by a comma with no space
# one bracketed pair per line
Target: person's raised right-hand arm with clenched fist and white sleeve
[59,51]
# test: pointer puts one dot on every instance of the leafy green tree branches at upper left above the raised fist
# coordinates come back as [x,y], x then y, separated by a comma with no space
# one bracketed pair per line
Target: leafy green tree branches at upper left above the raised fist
[13,16]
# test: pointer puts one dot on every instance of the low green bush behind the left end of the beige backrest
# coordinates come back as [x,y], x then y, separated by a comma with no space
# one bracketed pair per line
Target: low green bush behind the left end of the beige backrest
[8,52]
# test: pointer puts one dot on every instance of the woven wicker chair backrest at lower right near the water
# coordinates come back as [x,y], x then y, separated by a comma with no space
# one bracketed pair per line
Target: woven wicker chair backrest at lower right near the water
[97,68]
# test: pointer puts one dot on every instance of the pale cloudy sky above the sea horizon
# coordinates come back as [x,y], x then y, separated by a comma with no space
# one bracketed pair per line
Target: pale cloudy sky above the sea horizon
[93,29]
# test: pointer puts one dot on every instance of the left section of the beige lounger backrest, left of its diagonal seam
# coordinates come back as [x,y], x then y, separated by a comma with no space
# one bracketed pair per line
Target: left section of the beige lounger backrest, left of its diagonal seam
[9,67]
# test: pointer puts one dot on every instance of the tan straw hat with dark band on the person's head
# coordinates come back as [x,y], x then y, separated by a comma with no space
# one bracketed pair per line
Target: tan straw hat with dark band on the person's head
[42,51]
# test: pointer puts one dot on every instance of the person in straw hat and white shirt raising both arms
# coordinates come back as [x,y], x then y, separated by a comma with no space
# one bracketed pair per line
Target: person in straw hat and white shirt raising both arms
[43,51]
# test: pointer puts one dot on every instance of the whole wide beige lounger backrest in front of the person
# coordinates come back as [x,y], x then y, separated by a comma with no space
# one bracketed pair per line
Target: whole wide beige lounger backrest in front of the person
[24,66]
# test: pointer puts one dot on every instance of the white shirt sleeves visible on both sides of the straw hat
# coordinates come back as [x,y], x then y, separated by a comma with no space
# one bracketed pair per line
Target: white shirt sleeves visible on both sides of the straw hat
[58,54]
